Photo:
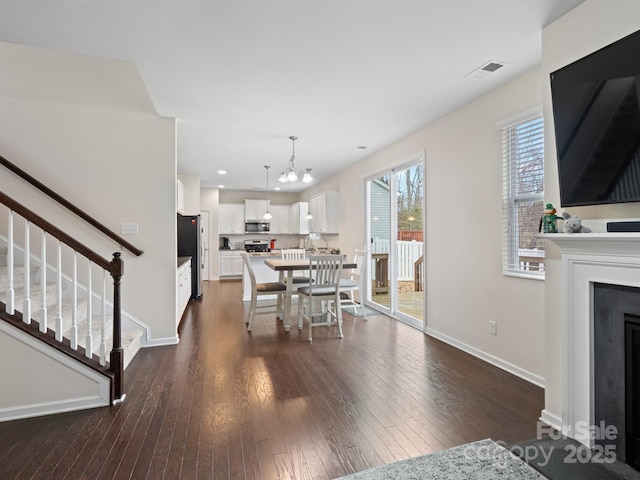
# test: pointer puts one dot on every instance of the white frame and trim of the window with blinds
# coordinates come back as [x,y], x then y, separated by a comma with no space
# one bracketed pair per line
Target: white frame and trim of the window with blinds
[511,198]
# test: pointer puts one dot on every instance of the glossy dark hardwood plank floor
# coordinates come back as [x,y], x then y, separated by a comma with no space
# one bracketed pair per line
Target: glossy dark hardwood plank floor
[226,403]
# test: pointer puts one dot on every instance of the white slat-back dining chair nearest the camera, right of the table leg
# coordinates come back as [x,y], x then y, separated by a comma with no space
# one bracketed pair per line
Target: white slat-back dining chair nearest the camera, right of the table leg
[324,289]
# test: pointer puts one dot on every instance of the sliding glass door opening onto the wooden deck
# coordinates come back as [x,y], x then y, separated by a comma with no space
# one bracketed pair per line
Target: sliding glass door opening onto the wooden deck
[395,223]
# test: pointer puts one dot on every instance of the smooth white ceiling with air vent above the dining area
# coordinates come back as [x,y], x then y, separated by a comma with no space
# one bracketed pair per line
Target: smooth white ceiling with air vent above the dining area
[241,76]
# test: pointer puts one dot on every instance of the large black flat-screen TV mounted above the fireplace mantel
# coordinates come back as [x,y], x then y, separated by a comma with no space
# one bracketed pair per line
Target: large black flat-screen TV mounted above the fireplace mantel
[596,110]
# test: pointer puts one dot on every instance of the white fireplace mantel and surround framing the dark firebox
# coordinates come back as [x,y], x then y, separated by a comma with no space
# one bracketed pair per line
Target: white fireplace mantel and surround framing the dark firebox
[588,258]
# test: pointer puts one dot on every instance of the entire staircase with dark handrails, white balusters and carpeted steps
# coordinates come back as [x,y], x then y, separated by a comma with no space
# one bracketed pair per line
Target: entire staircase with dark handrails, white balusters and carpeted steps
[59,322]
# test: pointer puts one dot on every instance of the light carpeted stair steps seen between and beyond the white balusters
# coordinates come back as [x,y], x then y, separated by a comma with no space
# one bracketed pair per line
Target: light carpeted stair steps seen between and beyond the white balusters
[100,345]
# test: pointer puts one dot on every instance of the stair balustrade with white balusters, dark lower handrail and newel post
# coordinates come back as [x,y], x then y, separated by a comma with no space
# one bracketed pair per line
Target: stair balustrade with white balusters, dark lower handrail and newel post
[69,299]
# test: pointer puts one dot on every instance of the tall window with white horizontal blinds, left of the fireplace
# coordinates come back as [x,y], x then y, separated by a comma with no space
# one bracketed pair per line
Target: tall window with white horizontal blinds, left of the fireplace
[523,197]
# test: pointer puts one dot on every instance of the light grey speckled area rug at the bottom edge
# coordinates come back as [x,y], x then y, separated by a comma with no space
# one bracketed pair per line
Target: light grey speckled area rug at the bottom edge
[482,460]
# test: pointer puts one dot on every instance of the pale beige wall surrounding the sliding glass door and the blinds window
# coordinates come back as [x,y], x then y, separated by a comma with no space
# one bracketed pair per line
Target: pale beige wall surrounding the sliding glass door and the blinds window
[465,285]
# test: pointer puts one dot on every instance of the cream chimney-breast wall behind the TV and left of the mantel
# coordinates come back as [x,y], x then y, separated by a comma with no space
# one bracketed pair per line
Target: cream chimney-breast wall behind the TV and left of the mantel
[587,28]
